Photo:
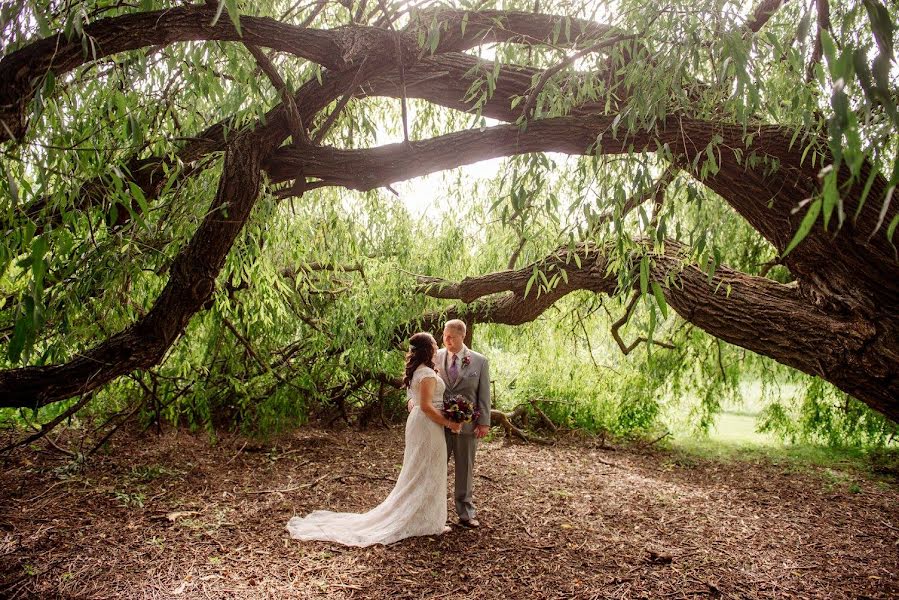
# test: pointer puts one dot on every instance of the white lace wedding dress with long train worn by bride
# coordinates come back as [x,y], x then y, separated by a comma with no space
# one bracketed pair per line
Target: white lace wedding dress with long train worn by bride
[417,504]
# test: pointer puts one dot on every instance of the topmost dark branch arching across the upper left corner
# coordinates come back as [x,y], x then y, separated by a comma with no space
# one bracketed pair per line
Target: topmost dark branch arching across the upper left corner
[338,49]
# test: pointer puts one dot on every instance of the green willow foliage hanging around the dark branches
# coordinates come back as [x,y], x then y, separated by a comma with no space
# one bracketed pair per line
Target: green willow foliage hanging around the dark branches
[321,284]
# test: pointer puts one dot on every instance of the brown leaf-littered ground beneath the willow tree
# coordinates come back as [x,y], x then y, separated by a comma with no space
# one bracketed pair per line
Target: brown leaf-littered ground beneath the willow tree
[175,517]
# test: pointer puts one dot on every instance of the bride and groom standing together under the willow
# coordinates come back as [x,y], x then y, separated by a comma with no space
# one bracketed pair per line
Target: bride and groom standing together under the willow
[417,504]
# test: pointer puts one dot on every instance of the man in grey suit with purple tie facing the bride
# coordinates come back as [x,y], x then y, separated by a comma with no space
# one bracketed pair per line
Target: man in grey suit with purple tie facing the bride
[465,374]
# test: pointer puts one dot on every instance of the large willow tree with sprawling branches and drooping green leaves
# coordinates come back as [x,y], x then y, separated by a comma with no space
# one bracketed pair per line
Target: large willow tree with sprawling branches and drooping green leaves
[733,164]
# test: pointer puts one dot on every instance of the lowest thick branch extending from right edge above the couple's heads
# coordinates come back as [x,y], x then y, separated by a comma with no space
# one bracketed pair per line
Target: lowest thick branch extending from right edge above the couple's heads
[748,311]
